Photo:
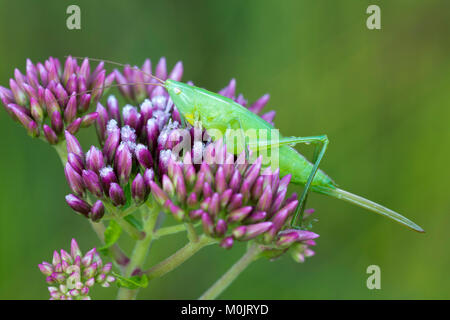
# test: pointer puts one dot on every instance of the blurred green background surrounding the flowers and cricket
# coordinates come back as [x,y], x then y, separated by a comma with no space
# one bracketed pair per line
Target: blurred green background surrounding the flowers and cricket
[381,96]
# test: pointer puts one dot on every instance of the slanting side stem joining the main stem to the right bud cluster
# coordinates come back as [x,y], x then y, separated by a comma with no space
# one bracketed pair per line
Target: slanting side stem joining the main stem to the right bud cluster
[178,257]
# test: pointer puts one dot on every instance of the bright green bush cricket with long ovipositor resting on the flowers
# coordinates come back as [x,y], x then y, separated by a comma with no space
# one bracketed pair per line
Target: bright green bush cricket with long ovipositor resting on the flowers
[215,111]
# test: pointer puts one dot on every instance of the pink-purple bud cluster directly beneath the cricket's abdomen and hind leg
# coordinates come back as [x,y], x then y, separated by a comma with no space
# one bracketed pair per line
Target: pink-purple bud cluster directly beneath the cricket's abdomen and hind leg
[233,199]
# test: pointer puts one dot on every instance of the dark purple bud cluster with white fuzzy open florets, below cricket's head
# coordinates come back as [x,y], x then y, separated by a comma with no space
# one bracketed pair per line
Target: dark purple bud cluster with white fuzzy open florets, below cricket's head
[124,165]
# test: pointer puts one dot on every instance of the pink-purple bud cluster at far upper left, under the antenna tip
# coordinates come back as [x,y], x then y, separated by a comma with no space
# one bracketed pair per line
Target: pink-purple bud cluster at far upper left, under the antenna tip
[50,98]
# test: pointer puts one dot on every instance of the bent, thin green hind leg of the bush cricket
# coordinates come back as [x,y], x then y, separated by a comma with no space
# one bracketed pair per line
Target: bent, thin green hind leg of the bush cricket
[321,144]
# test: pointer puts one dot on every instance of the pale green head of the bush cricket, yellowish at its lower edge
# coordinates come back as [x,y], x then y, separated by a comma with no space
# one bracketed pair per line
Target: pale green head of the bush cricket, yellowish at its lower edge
[182,96]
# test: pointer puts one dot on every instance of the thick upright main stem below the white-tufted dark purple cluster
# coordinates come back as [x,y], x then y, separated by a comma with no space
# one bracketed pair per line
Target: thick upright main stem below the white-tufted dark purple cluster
[139,256]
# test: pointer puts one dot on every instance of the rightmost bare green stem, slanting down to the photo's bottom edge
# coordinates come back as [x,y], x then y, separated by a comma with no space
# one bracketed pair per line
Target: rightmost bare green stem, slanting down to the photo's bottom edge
[220,285]
